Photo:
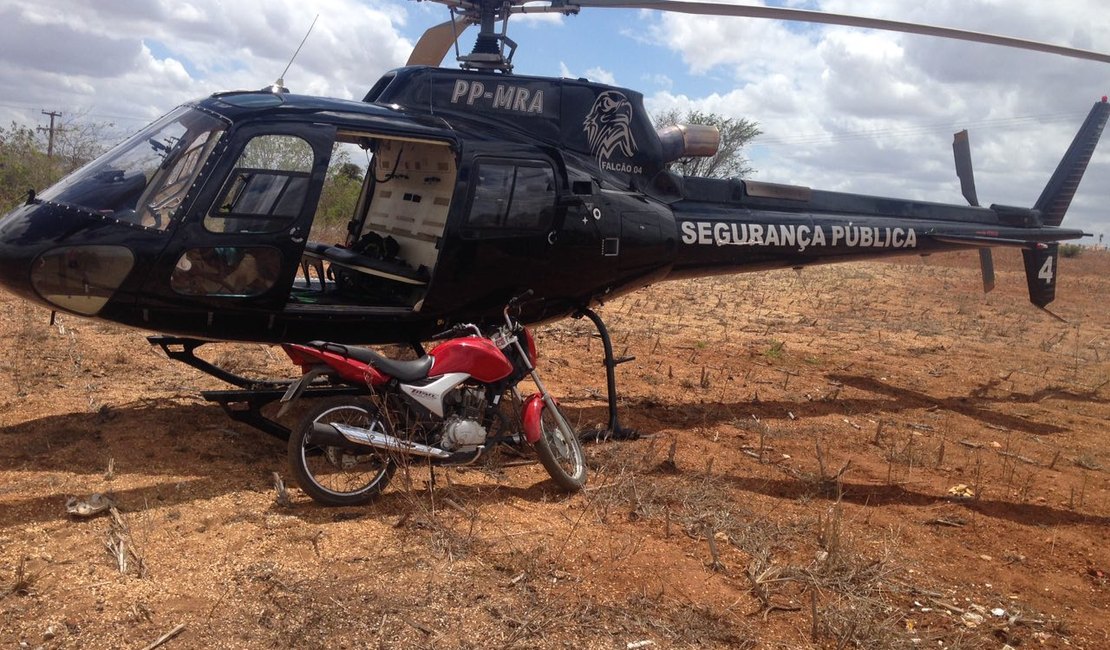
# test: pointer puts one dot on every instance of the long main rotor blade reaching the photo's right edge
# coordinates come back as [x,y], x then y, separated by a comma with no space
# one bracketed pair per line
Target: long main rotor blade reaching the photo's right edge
[819,17]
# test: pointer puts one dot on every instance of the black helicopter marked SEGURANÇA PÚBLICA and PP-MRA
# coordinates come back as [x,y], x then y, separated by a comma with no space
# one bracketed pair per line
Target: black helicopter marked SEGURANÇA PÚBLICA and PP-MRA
[480,184]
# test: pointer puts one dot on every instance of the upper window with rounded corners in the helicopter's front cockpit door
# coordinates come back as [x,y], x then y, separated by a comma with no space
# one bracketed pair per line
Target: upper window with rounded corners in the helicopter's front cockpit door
[268,188]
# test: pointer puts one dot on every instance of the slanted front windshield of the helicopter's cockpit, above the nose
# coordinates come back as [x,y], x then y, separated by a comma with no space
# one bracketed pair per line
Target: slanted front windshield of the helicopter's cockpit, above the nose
[145,180]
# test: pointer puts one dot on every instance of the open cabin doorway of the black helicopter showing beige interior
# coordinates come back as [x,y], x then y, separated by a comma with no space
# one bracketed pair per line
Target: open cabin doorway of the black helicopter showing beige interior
[379,227]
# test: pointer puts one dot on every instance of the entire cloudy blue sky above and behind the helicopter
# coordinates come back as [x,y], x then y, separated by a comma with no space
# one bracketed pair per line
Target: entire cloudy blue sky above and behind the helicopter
[841,109]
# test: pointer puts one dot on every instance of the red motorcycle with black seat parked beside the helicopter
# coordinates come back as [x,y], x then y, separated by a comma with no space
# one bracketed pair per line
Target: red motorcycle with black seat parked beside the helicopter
[451,407]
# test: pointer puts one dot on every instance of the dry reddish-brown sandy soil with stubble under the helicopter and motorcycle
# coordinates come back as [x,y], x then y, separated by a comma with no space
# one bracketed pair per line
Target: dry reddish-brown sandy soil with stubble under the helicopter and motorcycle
[806,438]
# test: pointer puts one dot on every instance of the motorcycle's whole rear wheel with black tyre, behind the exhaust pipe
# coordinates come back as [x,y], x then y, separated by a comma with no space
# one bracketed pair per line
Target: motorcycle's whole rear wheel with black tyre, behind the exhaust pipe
[340,474]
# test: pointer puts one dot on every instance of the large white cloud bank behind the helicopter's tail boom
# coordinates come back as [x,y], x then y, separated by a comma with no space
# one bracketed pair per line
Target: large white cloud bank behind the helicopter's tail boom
[874,113]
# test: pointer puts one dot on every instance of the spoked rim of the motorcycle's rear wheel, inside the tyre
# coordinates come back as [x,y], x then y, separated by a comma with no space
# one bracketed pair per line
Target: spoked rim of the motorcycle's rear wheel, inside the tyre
[339,471]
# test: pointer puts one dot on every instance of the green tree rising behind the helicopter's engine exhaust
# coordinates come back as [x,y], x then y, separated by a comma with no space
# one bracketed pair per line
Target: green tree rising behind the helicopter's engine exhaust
[730,160]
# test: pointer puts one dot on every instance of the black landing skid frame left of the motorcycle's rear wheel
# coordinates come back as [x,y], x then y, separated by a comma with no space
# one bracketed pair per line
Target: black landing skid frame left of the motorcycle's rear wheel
[247,403]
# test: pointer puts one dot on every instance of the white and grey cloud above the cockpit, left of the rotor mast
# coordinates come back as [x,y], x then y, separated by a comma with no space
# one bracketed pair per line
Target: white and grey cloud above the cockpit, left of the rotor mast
[139,59]
